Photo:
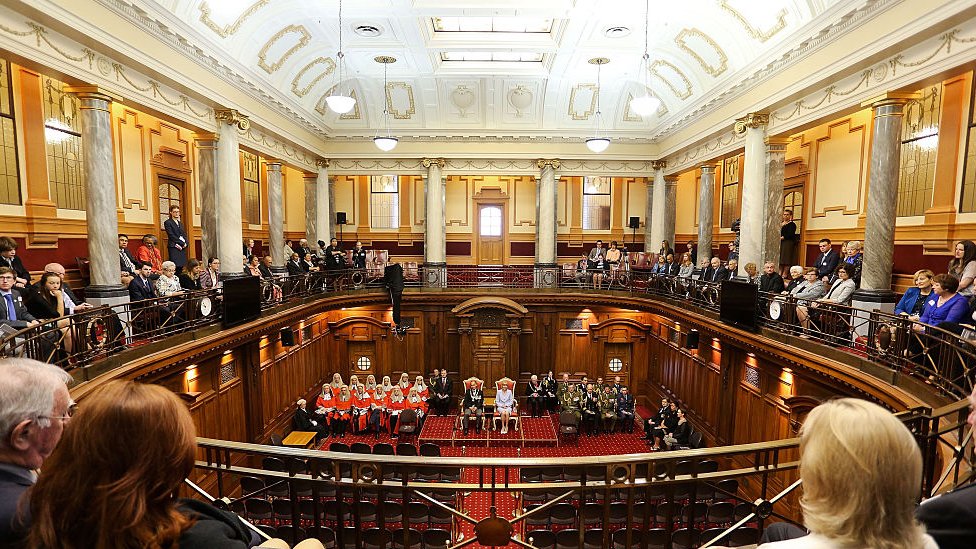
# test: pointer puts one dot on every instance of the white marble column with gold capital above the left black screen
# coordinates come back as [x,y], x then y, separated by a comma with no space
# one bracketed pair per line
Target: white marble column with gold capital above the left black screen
[228,192]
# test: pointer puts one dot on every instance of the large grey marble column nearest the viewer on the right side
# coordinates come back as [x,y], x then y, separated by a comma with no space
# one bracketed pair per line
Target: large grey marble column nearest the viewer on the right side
[879,228]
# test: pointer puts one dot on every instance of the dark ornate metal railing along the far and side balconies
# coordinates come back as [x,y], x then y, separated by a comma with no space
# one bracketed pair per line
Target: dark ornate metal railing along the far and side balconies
[931,355]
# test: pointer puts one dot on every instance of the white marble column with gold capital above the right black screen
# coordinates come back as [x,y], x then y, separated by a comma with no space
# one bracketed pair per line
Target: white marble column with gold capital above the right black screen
[754,193]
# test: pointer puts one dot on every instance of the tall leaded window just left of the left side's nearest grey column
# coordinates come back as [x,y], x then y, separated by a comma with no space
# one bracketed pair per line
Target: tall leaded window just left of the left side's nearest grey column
[62,131]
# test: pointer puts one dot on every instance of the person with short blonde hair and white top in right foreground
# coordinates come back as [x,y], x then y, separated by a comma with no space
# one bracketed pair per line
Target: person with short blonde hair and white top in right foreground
[860,467]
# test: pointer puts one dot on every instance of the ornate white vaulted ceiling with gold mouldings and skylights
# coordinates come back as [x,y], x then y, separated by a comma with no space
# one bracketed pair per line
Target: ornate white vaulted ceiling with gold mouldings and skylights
[699,49]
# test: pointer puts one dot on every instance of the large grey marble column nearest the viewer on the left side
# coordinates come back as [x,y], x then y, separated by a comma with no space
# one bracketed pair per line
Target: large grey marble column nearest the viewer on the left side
[102,202]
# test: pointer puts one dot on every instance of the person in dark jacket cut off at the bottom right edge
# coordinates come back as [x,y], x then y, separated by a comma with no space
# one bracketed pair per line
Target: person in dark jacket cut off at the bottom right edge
[951,517]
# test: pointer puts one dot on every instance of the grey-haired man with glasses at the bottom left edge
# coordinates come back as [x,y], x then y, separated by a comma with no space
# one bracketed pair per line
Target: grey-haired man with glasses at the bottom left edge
[36,407]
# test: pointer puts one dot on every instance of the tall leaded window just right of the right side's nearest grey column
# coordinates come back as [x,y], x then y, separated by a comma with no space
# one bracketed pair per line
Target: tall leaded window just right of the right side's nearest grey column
[919,145]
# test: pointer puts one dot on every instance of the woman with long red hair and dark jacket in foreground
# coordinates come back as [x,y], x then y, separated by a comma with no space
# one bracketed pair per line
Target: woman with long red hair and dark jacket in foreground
[125,498]
